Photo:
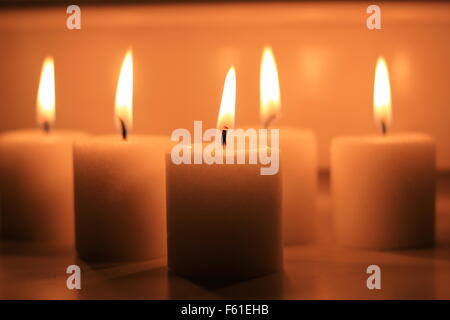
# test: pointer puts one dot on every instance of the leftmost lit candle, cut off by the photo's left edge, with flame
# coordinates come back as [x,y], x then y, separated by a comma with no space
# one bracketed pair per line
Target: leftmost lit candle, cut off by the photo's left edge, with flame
[36,176]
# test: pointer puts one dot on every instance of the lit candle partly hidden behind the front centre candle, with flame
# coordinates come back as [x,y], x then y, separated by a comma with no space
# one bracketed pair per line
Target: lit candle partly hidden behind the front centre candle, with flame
[298,152]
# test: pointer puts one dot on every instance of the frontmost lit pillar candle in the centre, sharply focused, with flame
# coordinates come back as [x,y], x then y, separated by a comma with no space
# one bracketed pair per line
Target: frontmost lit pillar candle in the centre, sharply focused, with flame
[224,220]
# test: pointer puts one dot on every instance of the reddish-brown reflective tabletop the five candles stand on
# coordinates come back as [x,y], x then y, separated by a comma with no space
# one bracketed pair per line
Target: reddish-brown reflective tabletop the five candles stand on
[315,271]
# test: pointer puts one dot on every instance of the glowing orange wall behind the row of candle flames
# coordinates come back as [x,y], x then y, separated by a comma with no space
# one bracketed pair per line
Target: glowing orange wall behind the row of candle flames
[181,53]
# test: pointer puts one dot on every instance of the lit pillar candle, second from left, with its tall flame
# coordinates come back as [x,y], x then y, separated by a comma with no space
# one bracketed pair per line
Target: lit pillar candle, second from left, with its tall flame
[120,189]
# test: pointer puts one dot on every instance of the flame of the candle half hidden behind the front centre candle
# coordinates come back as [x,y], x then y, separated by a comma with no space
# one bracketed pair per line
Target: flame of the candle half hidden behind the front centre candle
[269,88]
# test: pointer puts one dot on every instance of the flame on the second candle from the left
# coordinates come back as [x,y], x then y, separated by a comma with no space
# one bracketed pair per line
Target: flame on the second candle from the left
[124,94]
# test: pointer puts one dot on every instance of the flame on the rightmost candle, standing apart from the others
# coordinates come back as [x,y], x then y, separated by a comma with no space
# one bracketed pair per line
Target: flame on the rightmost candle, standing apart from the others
[382,96]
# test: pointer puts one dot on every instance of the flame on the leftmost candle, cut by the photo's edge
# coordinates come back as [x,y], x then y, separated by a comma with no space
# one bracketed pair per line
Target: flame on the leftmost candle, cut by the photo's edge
[46,95]
